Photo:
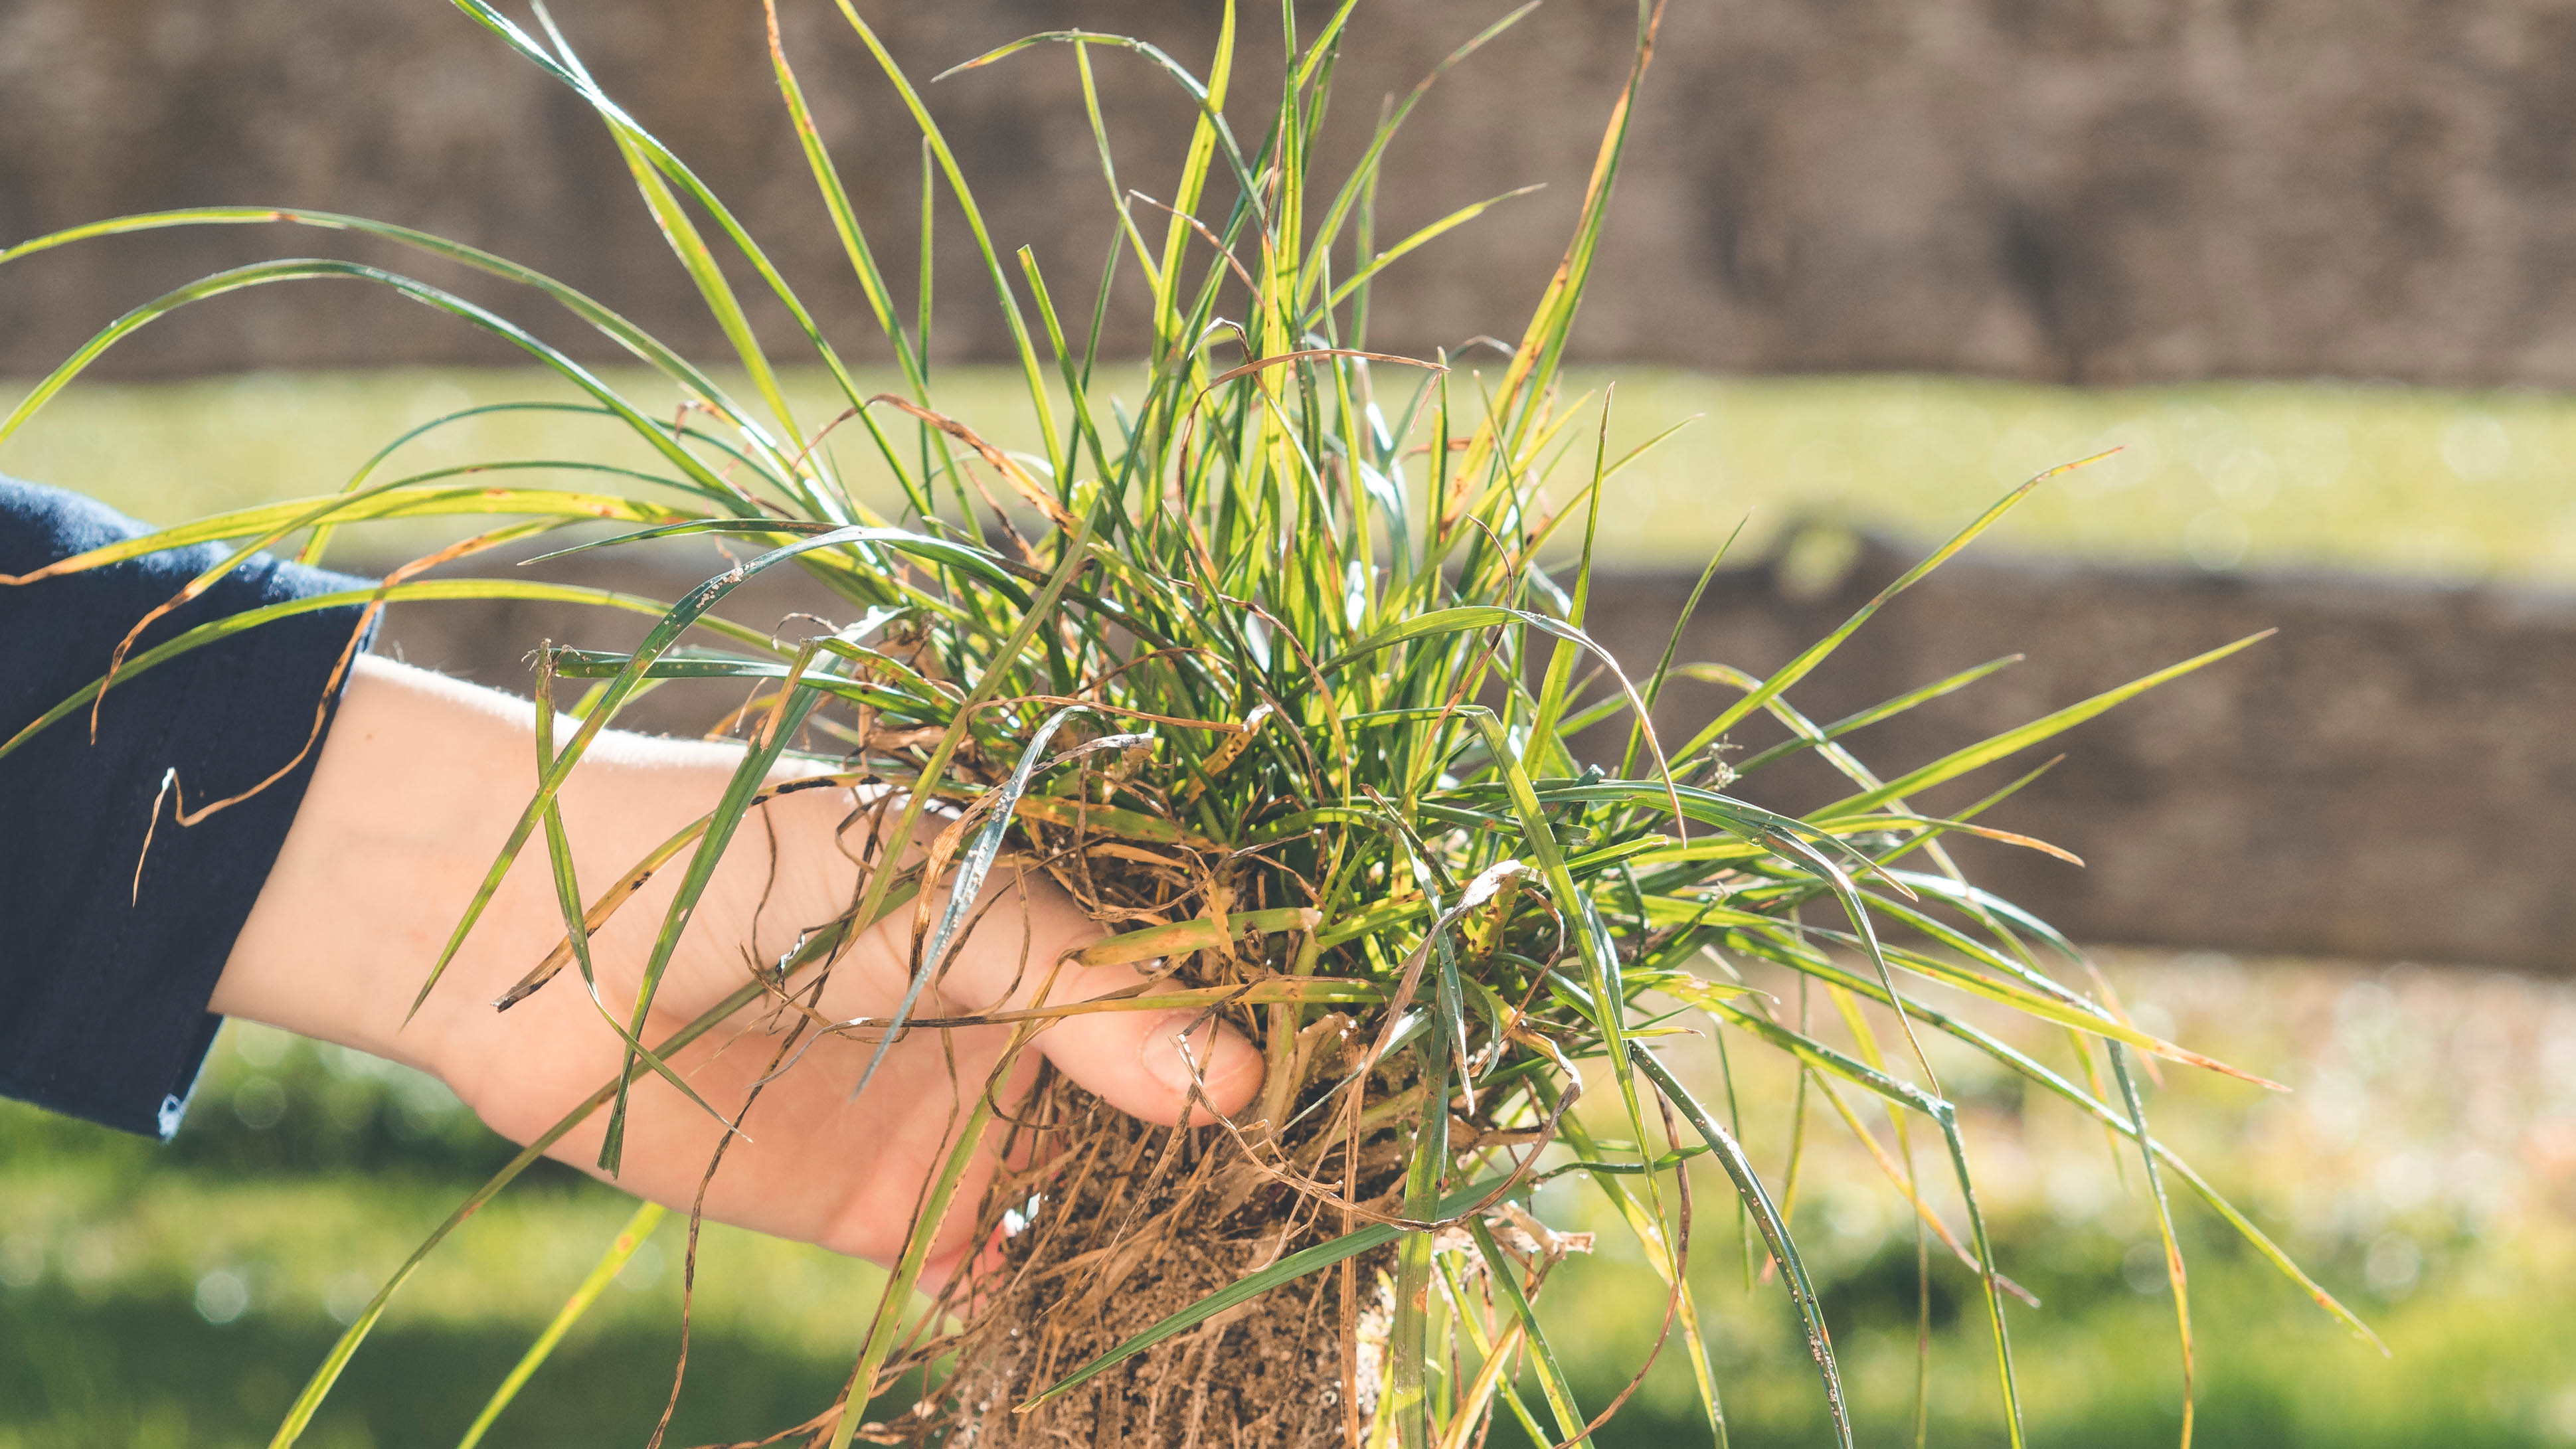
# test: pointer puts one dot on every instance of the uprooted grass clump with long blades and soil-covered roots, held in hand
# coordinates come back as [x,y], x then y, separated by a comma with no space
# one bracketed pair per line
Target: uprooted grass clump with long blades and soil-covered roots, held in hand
[1282,670]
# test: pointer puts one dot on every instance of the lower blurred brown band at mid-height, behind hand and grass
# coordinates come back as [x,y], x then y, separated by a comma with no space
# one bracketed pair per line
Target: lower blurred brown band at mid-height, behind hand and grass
[2387,779]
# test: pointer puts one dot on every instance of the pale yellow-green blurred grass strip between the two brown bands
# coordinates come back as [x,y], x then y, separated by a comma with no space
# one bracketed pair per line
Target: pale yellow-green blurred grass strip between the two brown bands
[2430,485]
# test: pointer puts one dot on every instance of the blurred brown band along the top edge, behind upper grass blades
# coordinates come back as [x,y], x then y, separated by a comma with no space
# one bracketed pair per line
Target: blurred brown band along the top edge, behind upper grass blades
[2049,189]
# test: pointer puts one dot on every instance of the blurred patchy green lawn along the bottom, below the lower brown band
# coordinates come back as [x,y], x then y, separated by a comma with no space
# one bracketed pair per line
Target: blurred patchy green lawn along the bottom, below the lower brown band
[2423,1167]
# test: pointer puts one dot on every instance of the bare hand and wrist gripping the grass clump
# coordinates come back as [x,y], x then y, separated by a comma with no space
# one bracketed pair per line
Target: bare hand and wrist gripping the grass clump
[416,794]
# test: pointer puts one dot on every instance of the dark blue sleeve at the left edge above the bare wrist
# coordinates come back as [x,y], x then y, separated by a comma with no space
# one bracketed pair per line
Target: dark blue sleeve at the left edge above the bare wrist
[109,954]
